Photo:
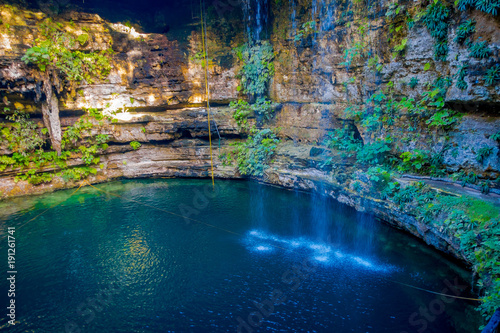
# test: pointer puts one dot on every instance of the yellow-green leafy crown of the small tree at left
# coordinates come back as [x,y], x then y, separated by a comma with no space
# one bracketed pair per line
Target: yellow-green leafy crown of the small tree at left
[56,50]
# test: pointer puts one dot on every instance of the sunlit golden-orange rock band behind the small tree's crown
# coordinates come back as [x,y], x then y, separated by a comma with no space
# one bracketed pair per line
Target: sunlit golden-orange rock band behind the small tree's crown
[149,70]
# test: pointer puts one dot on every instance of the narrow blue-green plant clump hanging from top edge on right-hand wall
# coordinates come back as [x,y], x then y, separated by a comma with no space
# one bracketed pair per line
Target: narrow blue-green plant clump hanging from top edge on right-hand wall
[436,20]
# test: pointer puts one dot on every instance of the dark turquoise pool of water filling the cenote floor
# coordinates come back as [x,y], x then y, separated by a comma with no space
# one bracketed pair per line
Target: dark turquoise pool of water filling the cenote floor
[252,258]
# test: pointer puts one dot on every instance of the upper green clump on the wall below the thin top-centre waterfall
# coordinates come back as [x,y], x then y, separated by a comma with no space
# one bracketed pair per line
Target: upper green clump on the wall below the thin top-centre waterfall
[257,68]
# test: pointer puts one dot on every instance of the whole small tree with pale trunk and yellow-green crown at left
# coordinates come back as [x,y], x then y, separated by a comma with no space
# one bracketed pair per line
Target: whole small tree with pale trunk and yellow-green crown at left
[60,62]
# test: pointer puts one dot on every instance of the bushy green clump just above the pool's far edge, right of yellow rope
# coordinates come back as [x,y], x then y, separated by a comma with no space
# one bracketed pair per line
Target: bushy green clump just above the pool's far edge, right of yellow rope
[253,155]
